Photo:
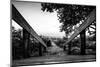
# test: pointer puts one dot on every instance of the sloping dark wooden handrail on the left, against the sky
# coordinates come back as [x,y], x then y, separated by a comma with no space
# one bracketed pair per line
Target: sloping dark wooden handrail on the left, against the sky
[18,18]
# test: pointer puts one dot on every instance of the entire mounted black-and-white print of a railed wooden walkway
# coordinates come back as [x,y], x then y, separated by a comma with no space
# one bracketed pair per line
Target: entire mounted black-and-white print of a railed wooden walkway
[45,33]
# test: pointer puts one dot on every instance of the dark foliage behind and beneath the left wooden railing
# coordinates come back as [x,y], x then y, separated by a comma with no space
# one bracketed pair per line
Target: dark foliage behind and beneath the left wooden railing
[18,47]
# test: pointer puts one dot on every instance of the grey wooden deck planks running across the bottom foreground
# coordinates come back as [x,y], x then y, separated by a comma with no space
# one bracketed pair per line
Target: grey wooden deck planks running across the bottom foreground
[54,59]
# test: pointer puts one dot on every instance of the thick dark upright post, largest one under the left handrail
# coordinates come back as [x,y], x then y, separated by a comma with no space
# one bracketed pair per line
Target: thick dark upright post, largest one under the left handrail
[26,37]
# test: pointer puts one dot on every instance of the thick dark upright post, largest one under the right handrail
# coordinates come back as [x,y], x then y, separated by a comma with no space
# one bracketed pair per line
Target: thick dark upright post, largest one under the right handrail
[83,42]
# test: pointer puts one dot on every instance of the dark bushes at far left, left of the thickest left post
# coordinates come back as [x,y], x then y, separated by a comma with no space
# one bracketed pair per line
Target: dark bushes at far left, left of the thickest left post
[17,44]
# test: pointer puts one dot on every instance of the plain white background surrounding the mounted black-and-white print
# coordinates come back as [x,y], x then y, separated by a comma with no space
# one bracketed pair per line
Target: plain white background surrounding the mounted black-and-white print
[5,33]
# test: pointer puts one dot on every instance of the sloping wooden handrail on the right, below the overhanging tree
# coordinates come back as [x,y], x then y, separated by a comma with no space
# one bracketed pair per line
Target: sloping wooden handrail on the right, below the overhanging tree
[90,18]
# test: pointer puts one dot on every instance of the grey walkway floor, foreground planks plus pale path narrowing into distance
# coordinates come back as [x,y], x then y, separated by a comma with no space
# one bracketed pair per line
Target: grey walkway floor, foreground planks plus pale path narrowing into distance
[59,56]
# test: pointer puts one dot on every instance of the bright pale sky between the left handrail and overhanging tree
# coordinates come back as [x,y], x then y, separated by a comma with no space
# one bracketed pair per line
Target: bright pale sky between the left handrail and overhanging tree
[44,23]
